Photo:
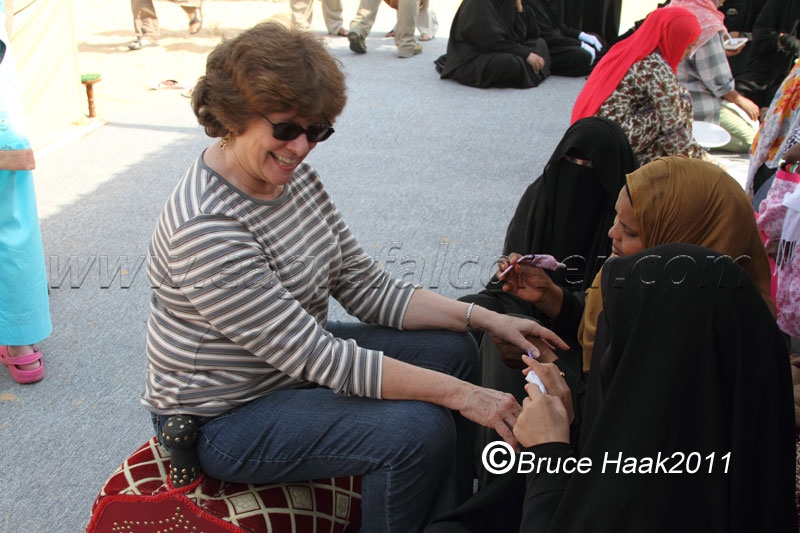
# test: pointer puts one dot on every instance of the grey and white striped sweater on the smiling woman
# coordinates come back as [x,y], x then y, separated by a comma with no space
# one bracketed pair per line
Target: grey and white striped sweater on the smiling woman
[240,296]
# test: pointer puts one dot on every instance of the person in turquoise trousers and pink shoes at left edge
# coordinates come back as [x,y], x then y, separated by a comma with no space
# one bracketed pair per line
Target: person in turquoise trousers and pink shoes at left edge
[24,305]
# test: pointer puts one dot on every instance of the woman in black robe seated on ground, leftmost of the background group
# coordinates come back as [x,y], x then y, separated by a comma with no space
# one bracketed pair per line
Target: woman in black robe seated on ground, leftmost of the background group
[495,43]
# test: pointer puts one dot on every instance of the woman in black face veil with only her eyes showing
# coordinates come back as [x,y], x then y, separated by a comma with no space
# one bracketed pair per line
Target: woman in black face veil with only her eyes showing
[566,213]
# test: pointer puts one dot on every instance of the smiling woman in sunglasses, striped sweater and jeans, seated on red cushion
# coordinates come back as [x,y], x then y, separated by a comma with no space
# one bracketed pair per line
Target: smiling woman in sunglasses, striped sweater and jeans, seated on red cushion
[246,254]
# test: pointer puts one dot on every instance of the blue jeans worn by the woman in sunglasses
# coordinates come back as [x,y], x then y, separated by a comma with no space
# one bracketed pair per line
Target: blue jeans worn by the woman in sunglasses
[405,451]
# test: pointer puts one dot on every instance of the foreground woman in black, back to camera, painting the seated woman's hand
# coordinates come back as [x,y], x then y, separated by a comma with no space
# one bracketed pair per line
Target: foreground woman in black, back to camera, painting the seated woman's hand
[690,376]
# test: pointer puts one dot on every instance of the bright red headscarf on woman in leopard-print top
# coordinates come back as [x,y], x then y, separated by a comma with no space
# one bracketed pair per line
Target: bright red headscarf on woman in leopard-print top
[668,30]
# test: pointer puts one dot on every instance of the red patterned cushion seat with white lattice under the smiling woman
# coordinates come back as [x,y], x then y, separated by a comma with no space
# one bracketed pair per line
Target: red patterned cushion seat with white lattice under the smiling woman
[138,497]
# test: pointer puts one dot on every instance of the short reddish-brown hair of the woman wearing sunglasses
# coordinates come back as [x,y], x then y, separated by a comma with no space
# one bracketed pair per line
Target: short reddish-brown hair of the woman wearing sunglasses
[267,69]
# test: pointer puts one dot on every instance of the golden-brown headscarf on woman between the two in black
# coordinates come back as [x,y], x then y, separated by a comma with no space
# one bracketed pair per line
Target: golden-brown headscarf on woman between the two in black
[678,199]
